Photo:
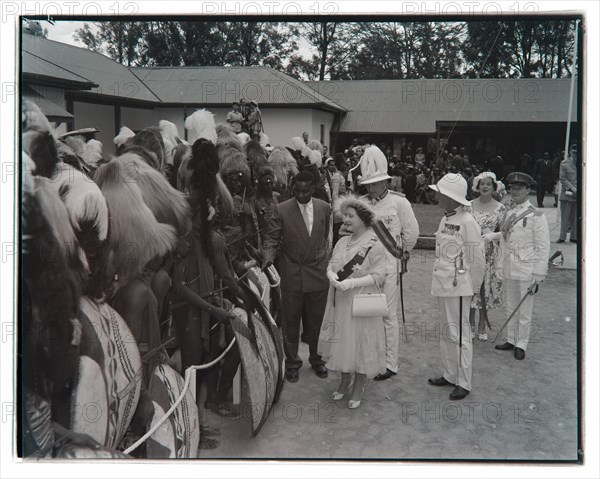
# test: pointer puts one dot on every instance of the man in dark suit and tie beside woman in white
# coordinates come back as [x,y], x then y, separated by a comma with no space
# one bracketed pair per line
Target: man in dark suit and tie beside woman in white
[298,235]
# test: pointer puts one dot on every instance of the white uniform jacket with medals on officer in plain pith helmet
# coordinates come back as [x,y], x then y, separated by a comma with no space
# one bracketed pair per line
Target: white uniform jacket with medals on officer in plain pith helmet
[459,256]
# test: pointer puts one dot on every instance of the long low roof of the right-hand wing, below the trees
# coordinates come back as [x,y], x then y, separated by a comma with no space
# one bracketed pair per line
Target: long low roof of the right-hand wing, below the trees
[414,106]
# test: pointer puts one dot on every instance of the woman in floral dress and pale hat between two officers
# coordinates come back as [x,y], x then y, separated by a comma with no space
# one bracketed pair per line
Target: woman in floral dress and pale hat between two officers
[487,212]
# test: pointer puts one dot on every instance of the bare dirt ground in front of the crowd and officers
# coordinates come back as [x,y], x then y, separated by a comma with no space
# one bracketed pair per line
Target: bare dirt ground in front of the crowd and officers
[520,410]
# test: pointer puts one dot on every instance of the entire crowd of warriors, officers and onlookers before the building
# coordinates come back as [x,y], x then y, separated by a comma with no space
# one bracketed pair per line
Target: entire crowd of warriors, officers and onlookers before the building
[338,232]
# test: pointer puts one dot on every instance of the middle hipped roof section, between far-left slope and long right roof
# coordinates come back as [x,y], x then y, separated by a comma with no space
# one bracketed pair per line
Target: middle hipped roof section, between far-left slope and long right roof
[223,85]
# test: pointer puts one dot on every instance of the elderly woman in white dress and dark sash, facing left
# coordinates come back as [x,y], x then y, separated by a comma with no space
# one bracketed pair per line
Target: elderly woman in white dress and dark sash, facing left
[354,345]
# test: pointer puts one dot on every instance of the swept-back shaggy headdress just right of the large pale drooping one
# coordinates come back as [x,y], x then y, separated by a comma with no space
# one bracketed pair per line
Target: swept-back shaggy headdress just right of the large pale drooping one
[166,203]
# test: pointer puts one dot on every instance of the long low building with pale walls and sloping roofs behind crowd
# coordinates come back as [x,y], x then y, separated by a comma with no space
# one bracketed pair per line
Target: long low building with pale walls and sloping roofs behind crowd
[79,88]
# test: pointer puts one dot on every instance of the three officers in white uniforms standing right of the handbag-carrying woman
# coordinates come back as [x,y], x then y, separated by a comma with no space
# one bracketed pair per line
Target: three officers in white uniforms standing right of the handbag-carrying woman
[459,265]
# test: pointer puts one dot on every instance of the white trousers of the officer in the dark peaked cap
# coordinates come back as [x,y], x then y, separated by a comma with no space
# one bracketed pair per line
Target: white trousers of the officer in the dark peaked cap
[518,330]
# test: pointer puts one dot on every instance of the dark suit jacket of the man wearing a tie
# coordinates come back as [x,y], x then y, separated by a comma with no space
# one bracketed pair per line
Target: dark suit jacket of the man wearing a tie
[302,261]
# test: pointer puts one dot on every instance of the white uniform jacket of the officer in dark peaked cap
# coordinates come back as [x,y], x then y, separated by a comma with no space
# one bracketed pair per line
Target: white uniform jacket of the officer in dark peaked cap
[526,249]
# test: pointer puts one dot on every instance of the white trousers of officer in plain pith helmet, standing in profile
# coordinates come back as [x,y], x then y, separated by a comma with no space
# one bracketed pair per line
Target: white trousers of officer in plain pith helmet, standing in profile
[449,344]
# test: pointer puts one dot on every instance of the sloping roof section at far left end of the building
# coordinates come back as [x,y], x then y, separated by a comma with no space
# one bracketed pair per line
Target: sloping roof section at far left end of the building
[112,78]
